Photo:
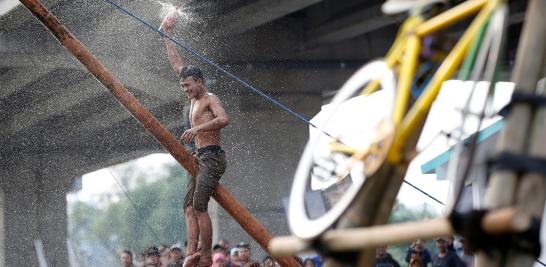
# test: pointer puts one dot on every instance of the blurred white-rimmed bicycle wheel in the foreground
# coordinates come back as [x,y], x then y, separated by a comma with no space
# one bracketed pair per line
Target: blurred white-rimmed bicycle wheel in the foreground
[328,178]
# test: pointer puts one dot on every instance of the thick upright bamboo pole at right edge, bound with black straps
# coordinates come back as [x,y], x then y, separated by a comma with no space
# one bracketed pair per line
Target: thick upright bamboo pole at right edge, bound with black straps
[527,70]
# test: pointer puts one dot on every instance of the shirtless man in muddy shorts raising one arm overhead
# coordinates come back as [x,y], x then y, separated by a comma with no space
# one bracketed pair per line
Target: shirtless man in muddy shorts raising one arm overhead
[207,117]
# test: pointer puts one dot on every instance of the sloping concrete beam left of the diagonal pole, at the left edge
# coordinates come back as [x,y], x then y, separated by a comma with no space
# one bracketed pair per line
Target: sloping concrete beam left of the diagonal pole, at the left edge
[56,105]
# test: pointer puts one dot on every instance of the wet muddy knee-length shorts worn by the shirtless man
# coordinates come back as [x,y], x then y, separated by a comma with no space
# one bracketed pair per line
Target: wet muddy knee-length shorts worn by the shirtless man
[212,164]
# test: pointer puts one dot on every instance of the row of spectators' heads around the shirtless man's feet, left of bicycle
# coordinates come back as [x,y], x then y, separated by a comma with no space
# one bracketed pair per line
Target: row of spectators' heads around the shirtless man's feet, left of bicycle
[222,256]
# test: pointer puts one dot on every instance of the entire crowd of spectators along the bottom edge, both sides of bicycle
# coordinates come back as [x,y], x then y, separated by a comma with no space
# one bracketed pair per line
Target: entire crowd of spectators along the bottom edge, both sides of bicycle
[417,255]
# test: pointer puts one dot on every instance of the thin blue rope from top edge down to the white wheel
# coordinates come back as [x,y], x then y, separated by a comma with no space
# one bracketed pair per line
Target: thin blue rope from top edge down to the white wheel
[218,67]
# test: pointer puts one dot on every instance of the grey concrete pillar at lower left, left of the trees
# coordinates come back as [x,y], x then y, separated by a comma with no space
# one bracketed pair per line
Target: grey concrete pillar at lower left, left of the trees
[34,208]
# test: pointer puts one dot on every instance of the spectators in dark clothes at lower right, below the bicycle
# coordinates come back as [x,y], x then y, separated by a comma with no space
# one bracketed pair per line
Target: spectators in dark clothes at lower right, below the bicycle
[447,255]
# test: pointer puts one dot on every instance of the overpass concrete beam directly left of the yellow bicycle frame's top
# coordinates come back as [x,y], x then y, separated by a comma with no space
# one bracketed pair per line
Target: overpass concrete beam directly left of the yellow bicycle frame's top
[350,26]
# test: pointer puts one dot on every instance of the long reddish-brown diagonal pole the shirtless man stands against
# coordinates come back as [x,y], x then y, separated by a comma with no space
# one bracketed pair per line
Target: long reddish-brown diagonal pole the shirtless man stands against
[167,140]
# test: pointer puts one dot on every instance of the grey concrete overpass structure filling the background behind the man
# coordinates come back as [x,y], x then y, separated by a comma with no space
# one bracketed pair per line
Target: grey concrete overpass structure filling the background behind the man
[58,123]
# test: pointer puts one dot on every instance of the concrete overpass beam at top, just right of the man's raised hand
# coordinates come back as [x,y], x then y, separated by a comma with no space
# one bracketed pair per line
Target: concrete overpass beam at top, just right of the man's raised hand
[258,13]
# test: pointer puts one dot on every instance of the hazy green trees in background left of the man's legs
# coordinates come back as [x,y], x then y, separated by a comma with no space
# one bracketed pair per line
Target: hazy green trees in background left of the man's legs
[119,225]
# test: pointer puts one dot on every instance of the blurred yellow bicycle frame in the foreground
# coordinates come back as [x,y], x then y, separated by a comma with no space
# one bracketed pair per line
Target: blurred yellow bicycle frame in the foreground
[404,56]
